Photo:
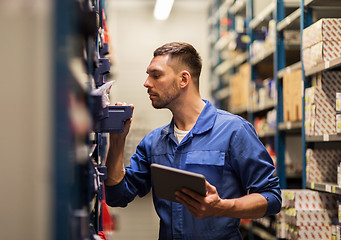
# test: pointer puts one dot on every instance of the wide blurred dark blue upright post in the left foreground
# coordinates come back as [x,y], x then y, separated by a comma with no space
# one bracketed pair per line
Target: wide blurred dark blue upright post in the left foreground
[62,144]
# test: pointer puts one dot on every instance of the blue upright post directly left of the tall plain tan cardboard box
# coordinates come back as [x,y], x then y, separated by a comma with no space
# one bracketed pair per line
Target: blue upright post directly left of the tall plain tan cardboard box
[279,63]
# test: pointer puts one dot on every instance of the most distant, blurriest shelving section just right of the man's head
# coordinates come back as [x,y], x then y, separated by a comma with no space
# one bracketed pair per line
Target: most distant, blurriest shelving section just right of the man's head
[222,22]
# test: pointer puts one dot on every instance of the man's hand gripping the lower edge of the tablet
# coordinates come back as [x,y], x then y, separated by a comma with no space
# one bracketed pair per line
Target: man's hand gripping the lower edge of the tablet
[200,206]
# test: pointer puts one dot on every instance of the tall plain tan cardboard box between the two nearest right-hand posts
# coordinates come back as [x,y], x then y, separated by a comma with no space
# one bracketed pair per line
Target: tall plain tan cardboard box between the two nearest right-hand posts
[292,96]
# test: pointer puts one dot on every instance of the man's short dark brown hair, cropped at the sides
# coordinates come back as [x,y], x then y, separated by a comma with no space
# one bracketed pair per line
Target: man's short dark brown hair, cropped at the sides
[186,54]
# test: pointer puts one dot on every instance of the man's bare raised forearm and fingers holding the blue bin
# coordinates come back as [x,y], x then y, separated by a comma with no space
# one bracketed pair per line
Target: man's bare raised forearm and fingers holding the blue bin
[114,162]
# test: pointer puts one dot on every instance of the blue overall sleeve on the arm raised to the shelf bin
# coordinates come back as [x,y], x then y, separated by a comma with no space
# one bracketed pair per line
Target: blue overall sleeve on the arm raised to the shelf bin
[137,180]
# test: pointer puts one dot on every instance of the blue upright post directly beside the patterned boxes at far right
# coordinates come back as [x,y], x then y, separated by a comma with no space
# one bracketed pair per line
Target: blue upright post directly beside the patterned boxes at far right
[305,21]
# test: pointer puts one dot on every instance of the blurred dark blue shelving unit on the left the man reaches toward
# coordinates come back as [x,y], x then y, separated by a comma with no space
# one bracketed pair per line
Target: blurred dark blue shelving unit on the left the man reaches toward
[79,138]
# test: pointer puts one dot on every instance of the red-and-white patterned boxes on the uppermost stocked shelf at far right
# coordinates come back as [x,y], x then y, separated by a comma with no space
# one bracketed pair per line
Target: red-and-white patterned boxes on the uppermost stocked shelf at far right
[321,42]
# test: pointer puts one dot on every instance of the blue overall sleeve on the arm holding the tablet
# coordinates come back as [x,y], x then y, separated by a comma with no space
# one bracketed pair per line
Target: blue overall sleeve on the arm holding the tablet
[254,166]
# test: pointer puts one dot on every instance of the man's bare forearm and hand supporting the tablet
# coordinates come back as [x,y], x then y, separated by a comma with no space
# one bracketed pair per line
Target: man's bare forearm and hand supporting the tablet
[249,206]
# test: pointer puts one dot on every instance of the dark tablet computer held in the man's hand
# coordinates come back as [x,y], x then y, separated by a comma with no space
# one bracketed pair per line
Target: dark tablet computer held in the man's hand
[168,180]
